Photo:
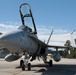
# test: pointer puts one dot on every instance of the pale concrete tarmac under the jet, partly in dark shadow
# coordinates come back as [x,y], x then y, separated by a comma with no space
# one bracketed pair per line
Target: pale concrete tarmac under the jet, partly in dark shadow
[64,67]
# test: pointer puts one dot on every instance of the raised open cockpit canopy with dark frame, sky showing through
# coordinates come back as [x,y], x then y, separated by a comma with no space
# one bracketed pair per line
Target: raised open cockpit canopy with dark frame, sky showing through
[27,17]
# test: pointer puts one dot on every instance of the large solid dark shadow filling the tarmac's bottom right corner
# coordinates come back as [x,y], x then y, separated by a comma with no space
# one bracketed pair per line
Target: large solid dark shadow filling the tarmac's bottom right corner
[60,69]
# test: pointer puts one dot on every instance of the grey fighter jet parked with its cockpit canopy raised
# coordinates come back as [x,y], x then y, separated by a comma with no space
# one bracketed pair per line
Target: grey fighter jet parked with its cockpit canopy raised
[24,41]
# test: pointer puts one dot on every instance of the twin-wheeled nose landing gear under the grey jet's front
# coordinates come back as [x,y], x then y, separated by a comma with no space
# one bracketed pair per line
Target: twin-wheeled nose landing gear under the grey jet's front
[24,63]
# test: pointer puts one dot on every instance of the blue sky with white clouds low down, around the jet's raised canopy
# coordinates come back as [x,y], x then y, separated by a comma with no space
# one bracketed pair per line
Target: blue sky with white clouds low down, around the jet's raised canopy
[59,15]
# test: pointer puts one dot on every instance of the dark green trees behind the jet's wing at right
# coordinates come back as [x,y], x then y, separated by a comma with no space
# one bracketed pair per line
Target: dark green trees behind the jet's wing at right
[68,53]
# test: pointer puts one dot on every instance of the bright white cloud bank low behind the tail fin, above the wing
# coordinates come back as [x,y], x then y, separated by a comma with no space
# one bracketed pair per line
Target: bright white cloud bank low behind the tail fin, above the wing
[56,39]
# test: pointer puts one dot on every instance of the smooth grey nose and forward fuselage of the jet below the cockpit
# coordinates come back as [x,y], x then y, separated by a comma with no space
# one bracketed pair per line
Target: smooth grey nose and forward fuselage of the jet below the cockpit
[18,41]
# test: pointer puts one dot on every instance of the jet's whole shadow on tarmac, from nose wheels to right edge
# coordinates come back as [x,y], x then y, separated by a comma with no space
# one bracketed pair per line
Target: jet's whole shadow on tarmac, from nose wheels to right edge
[57,69]
